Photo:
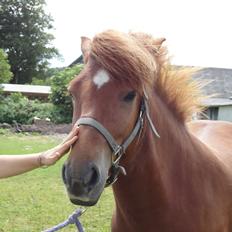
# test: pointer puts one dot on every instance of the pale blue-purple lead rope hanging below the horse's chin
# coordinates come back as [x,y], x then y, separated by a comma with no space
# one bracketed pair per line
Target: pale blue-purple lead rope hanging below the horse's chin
[72,219]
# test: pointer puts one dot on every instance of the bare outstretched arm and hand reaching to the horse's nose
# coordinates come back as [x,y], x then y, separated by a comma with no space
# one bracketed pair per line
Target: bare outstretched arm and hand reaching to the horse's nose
[11,165]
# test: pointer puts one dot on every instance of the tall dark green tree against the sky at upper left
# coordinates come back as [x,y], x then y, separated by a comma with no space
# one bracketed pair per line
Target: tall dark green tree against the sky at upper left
[24,36]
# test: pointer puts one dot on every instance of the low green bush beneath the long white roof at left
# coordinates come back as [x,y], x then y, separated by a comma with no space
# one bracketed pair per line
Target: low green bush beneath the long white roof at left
[22,110]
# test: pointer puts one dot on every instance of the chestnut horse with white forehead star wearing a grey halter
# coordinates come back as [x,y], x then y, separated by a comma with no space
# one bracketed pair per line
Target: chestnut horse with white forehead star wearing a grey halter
[133,109]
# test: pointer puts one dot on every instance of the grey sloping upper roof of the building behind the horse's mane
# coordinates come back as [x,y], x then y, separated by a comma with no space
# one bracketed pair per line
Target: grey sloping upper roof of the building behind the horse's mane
[220,81]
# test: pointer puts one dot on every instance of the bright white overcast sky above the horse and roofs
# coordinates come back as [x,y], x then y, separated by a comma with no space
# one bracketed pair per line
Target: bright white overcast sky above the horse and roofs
[197,32]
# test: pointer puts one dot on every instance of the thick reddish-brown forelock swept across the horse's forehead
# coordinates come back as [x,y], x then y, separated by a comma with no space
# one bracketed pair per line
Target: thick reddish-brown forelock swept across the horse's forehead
[124,57]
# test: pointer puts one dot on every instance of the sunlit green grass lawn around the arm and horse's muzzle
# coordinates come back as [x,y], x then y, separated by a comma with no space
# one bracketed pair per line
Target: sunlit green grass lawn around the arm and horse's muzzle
[37,200]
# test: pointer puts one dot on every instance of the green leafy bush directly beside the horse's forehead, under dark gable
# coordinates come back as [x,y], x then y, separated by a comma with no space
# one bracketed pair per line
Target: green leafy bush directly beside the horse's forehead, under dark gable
[60,96]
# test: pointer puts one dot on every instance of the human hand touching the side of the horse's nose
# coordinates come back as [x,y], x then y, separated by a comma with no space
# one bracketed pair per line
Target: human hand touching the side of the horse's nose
[50,157]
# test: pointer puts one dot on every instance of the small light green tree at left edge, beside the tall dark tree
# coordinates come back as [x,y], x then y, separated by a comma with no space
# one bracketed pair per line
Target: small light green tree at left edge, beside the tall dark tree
[5,73]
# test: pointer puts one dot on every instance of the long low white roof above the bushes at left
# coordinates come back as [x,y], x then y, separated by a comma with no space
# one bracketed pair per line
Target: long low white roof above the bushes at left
[36,90]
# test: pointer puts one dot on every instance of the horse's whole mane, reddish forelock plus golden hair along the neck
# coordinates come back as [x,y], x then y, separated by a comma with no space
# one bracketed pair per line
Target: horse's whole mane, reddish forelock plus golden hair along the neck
[142,61]
